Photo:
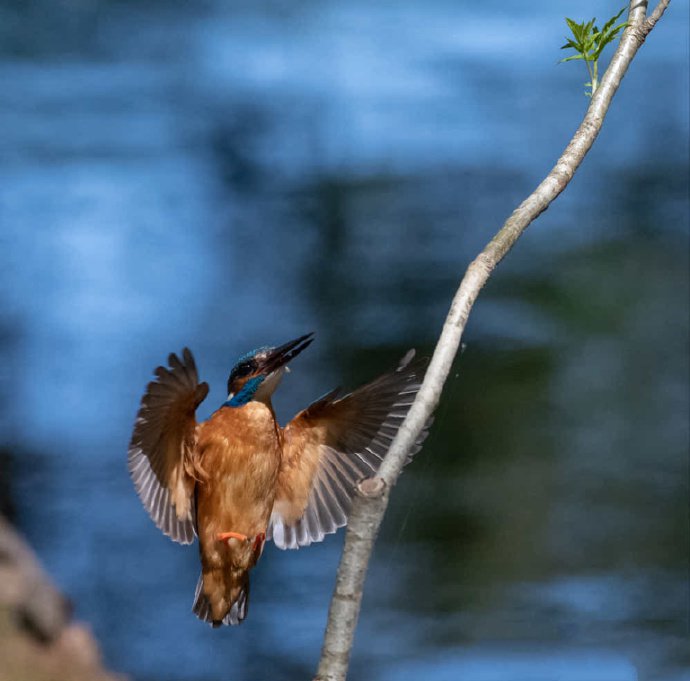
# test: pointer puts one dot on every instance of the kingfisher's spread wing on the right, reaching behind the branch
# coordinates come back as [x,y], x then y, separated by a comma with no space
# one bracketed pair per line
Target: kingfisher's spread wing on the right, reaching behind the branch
[333,444]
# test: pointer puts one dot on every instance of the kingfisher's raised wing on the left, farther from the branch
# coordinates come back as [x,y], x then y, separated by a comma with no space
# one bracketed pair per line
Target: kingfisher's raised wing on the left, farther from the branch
[161,452]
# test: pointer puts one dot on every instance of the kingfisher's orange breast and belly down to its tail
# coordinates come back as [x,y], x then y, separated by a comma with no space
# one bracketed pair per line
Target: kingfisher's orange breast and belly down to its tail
[239,451]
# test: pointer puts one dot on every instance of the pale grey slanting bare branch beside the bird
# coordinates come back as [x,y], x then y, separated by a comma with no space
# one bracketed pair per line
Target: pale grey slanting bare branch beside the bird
[372,499]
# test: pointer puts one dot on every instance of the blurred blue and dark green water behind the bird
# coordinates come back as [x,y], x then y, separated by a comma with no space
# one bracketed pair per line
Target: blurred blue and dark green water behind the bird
[224,175]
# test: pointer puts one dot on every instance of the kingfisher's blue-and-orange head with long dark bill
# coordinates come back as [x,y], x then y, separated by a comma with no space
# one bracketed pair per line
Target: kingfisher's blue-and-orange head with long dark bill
[257,373]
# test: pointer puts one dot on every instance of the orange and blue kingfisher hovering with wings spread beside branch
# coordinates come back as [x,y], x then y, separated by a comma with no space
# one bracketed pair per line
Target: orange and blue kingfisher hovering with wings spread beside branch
[239,479]
